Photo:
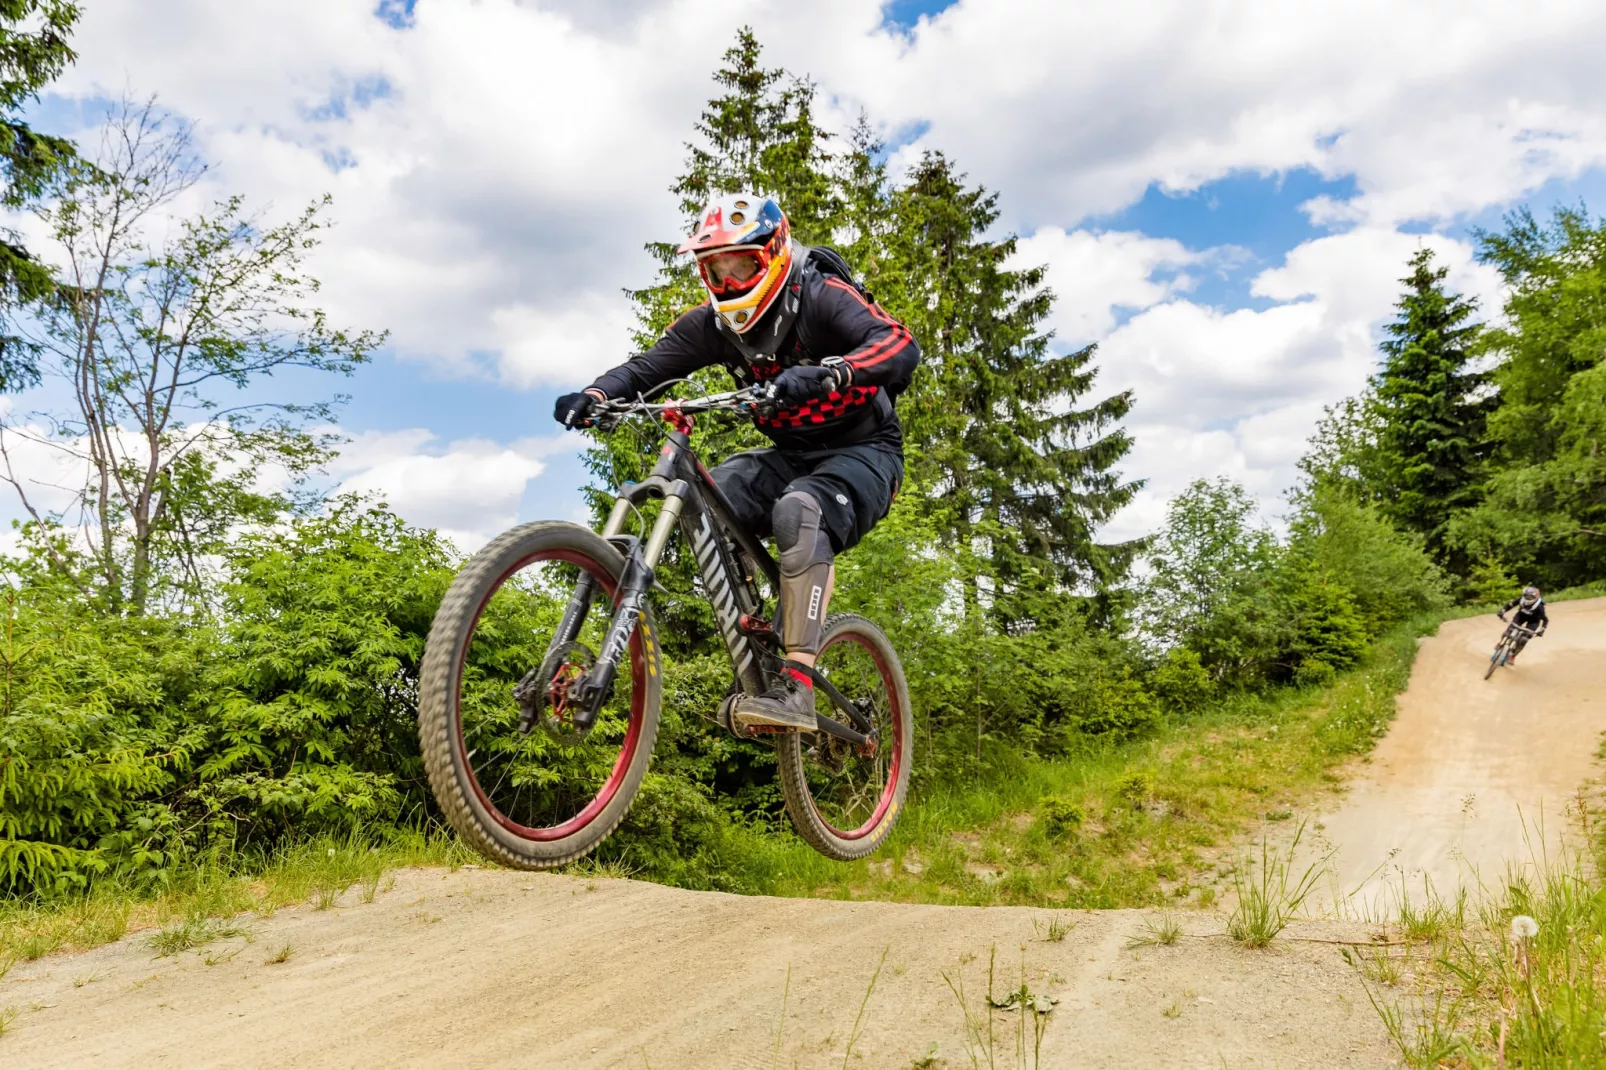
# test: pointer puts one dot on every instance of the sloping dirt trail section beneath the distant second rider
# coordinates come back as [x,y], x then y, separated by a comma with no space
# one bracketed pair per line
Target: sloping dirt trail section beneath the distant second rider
[1470,762]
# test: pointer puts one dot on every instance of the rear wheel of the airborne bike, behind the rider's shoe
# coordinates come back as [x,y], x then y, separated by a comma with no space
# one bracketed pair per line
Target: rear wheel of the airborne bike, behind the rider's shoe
[846,799]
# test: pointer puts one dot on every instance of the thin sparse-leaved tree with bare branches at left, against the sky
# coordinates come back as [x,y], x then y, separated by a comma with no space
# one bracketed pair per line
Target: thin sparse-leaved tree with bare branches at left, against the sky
[160,341]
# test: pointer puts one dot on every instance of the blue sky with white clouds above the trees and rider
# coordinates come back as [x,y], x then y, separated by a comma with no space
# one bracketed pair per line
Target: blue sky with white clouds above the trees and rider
[1226,195]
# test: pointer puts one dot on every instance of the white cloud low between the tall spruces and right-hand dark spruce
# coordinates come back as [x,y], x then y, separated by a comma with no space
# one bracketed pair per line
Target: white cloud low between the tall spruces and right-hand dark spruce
[1239,393]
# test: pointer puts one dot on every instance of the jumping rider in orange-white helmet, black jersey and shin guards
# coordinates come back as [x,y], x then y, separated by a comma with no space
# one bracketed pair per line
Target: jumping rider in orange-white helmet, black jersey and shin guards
[831,362]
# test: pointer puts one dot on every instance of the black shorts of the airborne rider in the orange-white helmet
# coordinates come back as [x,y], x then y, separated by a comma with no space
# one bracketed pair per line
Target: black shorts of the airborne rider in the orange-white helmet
[855,486]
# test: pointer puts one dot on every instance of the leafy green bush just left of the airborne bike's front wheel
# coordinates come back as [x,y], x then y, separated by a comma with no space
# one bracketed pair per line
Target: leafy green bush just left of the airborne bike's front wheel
[317,725]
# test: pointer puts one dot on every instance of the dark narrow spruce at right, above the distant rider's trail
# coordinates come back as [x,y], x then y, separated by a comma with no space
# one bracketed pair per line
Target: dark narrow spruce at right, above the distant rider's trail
[1432,404]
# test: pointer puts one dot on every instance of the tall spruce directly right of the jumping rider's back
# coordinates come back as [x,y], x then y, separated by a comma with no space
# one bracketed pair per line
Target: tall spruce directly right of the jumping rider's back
[1024,473]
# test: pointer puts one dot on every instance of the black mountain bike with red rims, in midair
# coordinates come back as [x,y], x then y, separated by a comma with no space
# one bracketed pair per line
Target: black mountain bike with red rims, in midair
[544,674]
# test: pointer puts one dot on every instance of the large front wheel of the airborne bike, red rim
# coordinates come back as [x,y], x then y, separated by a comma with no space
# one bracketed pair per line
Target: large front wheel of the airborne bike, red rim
[534,798]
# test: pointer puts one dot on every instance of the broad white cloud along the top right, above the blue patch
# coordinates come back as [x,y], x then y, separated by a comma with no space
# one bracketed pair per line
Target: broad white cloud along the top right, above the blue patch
[1077,108]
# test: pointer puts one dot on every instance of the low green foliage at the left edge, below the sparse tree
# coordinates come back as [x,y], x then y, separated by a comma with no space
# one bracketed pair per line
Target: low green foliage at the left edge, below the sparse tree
[97,727]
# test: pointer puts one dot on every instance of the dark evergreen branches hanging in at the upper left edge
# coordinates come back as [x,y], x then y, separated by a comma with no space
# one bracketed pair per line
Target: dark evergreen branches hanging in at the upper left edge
[33,52]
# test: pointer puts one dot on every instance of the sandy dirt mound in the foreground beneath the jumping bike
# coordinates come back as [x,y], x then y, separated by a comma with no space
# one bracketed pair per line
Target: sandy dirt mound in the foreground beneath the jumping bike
[502,970]
